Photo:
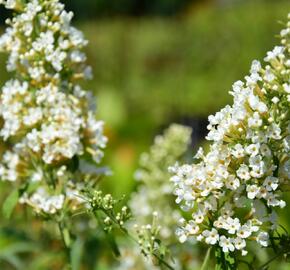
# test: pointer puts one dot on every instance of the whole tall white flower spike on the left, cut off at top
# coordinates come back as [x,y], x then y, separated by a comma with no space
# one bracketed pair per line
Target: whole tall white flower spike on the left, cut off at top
[48,126]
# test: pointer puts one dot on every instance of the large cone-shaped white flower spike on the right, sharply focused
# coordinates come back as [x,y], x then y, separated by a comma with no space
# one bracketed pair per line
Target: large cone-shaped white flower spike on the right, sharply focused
[233,189]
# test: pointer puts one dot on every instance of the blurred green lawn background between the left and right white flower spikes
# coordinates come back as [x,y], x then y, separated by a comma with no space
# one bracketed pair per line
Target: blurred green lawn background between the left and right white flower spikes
[152,71]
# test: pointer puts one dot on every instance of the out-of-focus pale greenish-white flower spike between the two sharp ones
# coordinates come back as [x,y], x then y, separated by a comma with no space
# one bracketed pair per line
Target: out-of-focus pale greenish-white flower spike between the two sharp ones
[154,193]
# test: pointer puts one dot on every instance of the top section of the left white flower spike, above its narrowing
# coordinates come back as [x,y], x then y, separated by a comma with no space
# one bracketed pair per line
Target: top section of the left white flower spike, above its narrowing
[43,46]
